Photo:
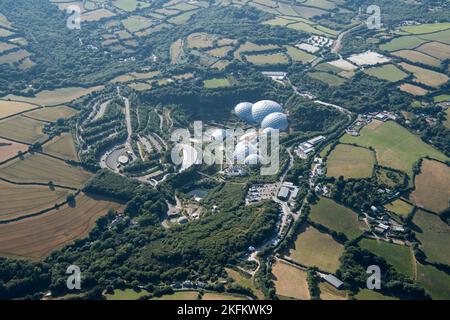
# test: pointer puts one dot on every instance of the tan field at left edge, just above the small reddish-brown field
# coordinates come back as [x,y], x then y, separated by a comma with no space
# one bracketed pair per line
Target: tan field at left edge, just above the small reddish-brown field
[22,129]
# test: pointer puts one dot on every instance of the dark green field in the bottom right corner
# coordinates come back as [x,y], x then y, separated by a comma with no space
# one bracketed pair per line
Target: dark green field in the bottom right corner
[435,282]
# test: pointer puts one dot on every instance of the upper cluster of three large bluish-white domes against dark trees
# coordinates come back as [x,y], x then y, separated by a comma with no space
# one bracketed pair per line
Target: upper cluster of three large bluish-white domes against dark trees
[269,114]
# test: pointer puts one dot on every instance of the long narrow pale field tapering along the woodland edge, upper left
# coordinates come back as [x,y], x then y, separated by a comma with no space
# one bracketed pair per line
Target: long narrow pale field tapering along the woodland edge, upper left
[57,96]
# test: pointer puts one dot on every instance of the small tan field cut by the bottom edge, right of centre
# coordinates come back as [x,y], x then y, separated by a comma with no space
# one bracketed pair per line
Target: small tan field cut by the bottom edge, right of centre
[290,281]
